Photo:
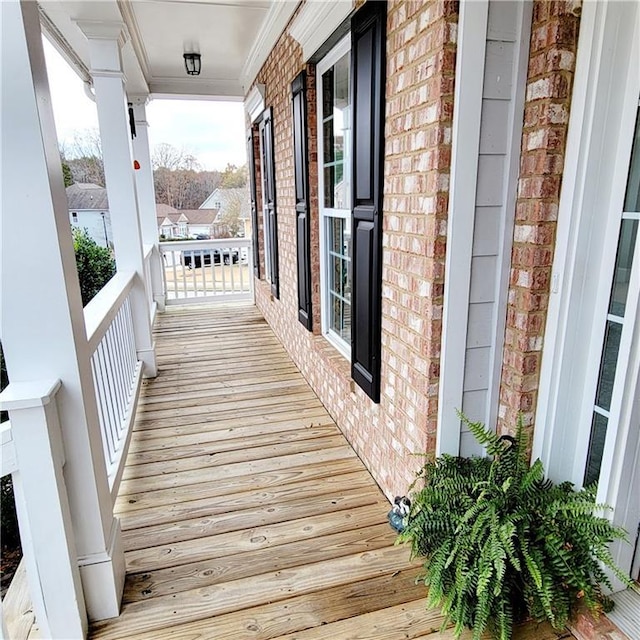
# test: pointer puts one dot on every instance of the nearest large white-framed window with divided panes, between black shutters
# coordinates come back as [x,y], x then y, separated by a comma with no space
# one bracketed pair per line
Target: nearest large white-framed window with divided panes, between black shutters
[334,153]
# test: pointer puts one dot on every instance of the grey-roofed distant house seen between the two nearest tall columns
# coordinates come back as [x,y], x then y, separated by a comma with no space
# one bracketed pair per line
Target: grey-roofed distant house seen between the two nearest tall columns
[89,209]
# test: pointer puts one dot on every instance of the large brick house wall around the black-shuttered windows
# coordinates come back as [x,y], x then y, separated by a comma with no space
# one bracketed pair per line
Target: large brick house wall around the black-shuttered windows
[420,77]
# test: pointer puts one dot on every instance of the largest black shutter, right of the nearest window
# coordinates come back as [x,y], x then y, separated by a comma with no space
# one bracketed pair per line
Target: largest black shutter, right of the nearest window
[368,43]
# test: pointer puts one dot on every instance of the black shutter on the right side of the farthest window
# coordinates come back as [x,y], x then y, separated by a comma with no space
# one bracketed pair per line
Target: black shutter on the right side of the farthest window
[269,197]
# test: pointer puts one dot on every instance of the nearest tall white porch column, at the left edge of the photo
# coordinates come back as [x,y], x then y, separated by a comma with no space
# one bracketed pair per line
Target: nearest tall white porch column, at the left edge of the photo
[42,321]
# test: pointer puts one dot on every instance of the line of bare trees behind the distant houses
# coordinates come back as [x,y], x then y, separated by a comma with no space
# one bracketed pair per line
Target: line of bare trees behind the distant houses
[179,179]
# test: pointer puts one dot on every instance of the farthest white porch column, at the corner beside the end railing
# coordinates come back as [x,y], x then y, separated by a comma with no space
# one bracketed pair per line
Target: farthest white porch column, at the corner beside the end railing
[147,195]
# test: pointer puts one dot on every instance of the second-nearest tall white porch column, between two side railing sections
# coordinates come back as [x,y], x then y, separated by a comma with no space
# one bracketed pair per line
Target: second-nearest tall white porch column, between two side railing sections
[108,80]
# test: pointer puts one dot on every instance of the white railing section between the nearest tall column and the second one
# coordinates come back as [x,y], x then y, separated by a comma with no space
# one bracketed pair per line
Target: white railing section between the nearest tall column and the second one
[117,372]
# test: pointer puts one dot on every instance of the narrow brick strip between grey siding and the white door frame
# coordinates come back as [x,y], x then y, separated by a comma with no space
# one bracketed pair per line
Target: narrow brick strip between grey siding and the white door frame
[554,40]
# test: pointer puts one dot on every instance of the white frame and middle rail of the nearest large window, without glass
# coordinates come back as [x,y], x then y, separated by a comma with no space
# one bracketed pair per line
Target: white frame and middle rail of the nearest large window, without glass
[343,47]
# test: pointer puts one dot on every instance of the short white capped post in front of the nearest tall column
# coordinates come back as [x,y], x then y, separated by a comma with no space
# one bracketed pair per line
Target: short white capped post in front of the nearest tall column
[46,532]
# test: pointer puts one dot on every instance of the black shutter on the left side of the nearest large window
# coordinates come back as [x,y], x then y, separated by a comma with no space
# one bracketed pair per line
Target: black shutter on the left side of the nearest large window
[303,239]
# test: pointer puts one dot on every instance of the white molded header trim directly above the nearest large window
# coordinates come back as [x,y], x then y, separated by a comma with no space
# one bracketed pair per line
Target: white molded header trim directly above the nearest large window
[317,21]
